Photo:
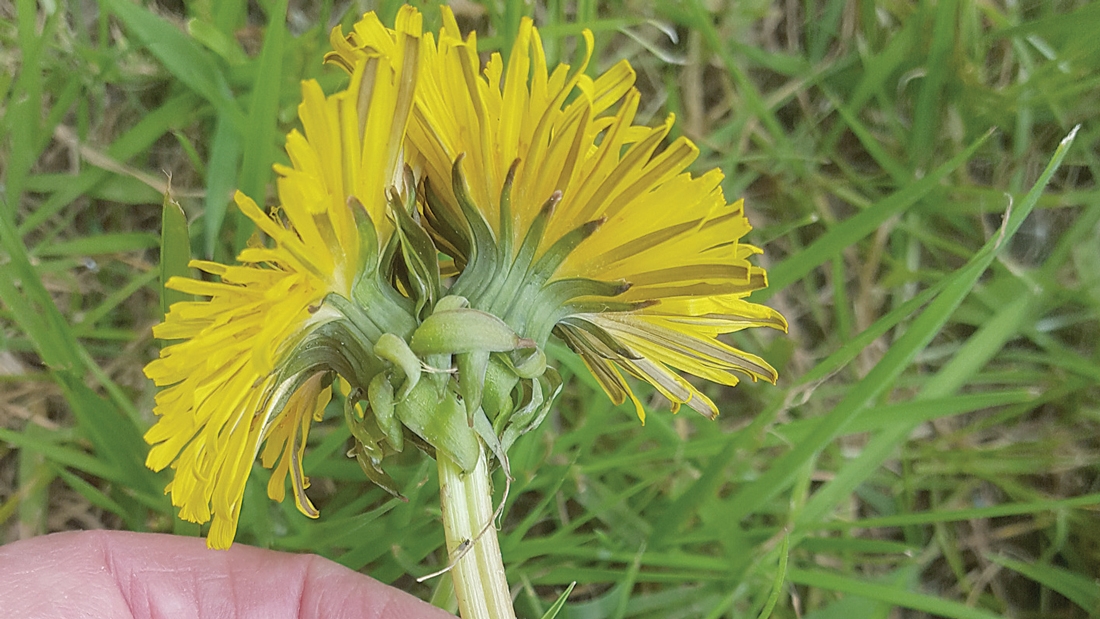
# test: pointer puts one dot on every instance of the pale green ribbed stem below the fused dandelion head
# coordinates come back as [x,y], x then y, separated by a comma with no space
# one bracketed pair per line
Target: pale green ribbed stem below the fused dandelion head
[467,499]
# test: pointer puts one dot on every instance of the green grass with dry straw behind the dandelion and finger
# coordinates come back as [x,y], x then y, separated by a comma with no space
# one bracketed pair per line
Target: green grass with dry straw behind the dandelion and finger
[931,450]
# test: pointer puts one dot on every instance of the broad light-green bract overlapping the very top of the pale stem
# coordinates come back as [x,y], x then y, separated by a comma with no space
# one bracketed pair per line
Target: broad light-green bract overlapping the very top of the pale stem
[439,419]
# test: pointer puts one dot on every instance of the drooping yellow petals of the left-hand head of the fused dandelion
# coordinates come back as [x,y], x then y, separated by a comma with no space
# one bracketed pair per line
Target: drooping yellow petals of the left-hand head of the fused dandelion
[230,384]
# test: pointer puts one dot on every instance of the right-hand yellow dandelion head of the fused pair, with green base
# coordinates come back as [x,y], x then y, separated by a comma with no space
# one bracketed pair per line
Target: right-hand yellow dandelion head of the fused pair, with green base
[639,262]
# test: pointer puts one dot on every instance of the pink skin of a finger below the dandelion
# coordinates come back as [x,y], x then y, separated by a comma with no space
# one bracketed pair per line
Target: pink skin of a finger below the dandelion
[123,576]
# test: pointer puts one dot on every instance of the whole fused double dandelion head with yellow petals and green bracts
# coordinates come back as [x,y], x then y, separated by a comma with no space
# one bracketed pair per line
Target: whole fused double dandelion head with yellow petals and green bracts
[559,215]
